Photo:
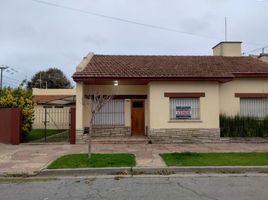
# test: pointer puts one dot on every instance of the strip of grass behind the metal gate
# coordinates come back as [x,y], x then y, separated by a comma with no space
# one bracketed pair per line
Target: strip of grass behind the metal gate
[37,134]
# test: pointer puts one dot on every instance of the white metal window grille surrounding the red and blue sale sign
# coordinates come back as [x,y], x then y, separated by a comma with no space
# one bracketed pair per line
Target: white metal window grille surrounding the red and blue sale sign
[193,103]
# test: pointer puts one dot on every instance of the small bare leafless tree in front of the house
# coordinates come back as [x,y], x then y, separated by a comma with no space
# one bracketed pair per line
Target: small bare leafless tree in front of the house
[96,101]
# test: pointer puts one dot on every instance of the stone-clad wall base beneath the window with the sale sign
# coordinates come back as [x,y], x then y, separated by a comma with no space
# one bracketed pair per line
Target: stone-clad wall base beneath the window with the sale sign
[184,135]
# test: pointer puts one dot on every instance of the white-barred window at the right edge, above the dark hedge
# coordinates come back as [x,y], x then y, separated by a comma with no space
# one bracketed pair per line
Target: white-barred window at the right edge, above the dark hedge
[253,107]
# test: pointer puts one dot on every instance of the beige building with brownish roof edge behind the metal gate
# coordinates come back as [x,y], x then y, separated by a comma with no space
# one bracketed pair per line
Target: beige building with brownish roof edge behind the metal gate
[53,105]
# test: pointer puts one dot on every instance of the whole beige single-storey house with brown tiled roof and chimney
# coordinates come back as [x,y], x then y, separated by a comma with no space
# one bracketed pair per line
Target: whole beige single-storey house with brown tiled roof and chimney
[171,98]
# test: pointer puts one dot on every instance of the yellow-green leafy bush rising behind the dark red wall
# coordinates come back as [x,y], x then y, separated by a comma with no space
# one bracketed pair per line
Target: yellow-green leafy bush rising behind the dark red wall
[19,98]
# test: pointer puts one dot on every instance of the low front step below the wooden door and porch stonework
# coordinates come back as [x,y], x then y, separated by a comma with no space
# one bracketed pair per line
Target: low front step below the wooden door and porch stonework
[120,140]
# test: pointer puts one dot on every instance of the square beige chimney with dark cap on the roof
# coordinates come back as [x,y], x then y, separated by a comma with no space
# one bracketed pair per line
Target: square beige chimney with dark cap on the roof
[227,48]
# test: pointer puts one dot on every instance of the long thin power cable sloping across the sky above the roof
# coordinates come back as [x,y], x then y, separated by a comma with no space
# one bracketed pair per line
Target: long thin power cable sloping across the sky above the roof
[128,21]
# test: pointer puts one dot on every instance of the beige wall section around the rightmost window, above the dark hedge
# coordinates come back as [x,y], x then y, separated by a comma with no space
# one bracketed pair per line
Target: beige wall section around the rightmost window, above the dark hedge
[228,103]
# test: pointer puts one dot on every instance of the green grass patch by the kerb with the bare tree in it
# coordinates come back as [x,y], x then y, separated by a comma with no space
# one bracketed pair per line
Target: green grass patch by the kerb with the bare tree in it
[96,160]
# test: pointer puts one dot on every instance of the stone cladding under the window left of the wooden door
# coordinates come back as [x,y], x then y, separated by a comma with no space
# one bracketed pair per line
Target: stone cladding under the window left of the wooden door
[114,131]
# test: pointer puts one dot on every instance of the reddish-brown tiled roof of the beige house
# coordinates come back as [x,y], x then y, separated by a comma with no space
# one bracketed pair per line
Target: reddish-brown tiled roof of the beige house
[111,66]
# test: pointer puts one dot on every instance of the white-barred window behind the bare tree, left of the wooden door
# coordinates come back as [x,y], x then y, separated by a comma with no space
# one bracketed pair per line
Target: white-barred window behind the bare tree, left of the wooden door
[112,113]
